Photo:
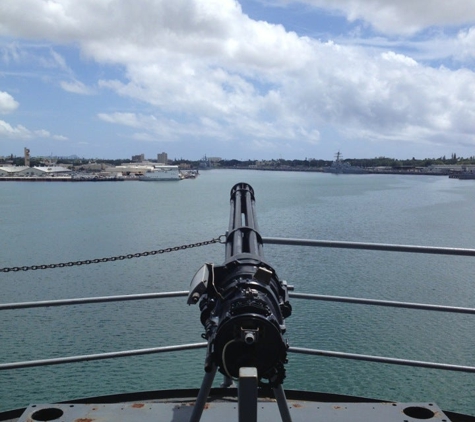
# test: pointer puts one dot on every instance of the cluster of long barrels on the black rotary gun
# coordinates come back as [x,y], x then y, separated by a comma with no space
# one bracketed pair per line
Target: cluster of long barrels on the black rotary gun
[243,234]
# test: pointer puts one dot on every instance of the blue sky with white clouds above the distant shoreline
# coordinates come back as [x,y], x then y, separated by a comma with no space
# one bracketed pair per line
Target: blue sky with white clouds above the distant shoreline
[247,79]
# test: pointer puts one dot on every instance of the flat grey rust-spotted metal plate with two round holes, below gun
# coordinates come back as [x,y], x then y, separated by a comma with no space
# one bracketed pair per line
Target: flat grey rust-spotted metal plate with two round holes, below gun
[180,411]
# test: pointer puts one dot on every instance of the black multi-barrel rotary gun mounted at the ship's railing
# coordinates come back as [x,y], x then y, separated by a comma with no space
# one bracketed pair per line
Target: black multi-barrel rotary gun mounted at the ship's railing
[243,304]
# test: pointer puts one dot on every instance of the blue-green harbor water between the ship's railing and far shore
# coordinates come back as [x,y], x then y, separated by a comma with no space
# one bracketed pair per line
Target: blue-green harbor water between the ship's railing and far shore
[45,223]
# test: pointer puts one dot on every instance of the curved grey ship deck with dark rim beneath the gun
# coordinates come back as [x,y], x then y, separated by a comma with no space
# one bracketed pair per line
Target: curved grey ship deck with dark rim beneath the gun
[177,406]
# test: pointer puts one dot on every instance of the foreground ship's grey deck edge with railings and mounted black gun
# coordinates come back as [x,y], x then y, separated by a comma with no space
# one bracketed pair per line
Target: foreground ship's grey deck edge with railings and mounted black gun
[243,306]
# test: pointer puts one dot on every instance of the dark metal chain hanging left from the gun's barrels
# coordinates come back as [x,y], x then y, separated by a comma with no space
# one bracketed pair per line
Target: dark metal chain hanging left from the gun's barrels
[113,258]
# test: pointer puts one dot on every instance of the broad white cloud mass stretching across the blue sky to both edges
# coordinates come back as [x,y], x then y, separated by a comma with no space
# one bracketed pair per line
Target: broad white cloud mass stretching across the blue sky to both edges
[206,70]
